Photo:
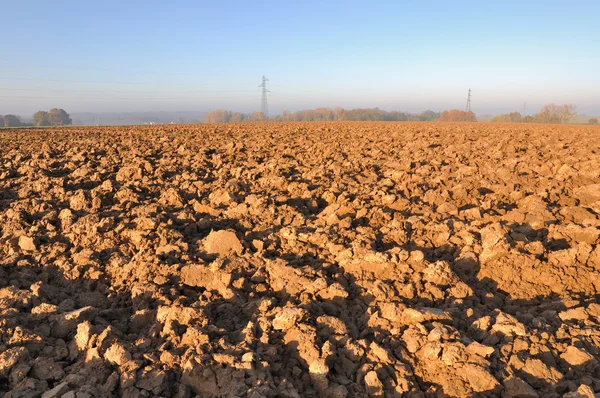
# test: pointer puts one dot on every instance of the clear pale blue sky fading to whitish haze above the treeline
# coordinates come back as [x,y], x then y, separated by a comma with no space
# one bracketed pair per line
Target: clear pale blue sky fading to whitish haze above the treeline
[199,55]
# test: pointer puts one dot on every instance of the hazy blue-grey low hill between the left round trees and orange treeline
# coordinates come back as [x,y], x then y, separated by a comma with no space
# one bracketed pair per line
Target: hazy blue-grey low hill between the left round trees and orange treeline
[135,118]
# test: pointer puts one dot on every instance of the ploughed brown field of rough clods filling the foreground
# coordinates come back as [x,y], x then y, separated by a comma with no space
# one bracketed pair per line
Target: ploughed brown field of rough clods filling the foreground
[289,260]
